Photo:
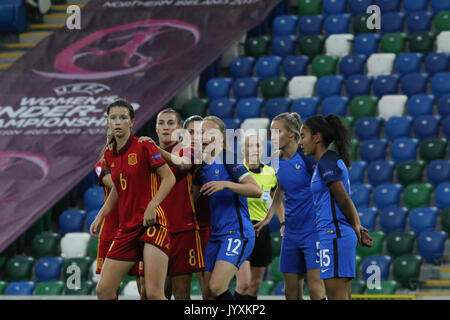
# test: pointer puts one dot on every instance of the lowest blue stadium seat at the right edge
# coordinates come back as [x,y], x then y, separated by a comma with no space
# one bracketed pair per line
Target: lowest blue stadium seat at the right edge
[431,246]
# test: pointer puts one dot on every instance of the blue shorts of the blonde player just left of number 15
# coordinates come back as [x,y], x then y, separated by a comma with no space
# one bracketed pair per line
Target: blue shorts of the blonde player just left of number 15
[299,255]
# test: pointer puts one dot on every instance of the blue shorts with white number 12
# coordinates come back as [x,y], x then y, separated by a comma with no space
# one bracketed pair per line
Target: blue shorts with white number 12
[231,248]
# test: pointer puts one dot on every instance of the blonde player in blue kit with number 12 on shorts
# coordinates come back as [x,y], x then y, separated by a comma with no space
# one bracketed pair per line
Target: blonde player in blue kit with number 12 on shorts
[227,185]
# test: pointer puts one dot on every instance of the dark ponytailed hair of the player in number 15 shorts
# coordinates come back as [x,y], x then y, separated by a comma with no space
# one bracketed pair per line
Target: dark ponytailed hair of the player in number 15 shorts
[332,130]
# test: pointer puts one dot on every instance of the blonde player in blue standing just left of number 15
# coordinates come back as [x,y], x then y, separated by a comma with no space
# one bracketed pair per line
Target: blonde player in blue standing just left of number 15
[299,250]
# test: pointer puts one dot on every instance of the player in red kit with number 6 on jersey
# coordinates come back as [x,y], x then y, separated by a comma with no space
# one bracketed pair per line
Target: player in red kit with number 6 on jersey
[143,225]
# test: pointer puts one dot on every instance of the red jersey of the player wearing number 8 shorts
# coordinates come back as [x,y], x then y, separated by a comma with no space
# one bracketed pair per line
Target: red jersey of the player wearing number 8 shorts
[178,204]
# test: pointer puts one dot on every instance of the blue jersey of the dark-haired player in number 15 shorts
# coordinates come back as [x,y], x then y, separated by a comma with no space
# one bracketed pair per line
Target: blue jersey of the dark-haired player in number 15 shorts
[330,221]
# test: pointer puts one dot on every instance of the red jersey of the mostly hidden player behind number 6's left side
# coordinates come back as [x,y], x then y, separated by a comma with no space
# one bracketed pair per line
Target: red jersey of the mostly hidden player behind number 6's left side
[110,225]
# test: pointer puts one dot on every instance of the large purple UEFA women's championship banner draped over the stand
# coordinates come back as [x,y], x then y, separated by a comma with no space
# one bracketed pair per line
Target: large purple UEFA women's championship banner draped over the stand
[53,100]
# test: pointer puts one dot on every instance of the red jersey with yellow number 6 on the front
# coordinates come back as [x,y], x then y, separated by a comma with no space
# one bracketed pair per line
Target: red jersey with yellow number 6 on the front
[133,172]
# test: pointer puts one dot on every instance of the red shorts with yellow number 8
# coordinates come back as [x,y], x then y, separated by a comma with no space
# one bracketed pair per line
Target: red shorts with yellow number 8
[186,253]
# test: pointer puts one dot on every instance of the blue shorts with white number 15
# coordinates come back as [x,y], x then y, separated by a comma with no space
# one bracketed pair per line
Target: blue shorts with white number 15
[337,257]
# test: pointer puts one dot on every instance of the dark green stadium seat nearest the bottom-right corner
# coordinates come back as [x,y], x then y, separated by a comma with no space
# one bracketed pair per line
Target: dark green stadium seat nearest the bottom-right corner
[406,270]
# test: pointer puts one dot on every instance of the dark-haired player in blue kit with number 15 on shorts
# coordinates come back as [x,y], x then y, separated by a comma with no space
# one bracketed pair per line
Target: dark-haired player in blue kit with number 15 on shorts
[337,220]
